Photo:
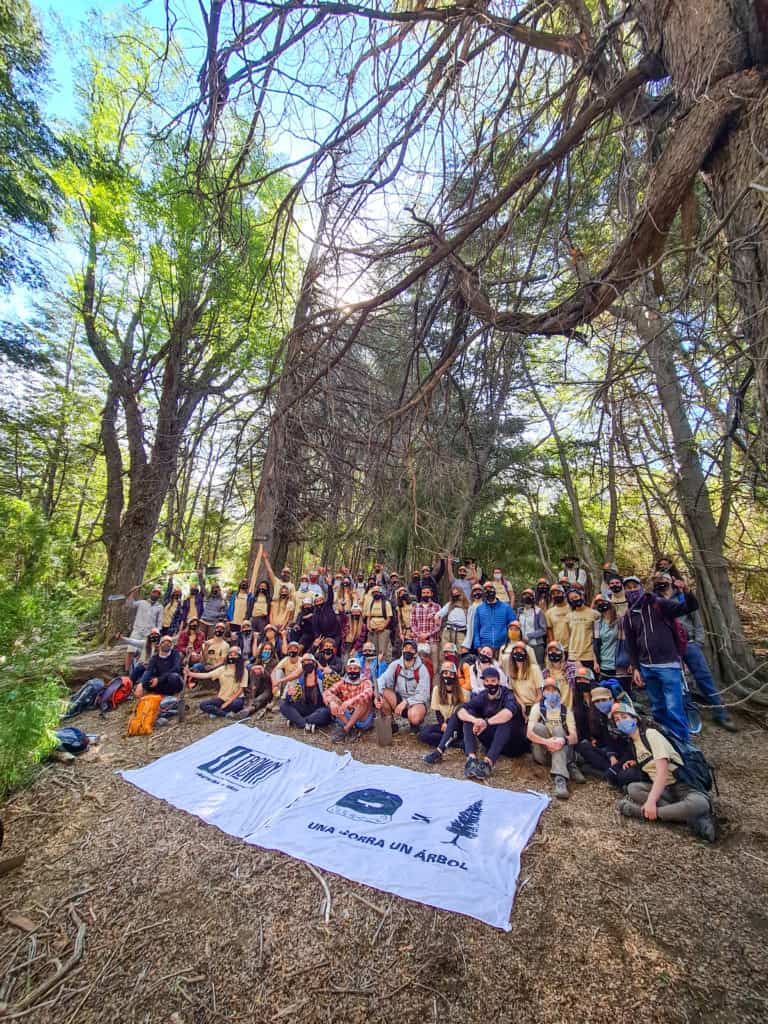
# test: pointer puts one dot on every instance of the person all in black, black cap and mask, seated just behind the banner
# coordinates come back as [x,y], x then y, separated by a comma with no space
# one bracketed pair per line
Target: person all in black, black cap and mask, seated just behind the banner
[492,716]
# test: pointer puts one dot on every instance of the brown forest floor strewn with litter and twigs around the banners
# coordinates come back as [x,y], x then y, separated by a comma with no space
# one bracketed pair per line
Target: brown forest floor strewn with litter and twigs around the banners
[615,921]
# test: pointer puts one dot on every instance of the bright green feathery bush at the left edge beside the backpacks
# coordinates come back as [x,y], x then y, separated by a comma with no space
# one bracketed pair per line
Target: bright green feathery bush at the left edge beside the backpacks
[36,636]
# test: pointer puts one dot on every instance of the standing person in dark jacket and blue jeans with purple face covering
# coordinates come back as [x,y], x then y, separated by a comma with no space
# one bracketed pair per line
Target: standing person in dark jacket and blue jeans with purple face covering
[655,657]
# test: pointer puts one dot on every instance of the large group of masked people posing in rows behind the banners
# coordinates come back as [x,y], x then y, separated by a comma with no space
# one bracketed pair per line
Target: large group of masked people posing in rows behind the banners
[560,674]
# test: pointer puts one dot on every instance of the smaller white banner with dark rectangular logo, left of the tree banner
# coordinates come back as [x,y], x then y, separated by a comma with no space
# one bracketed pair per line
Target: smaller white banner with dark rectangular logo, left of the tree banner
[238,778]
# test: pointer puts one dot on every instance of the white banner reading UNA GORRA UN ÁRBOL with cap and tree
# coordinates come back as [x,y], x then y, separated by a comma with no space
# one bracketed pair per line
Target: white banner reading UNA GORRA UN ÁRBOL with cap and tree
[446,843]
